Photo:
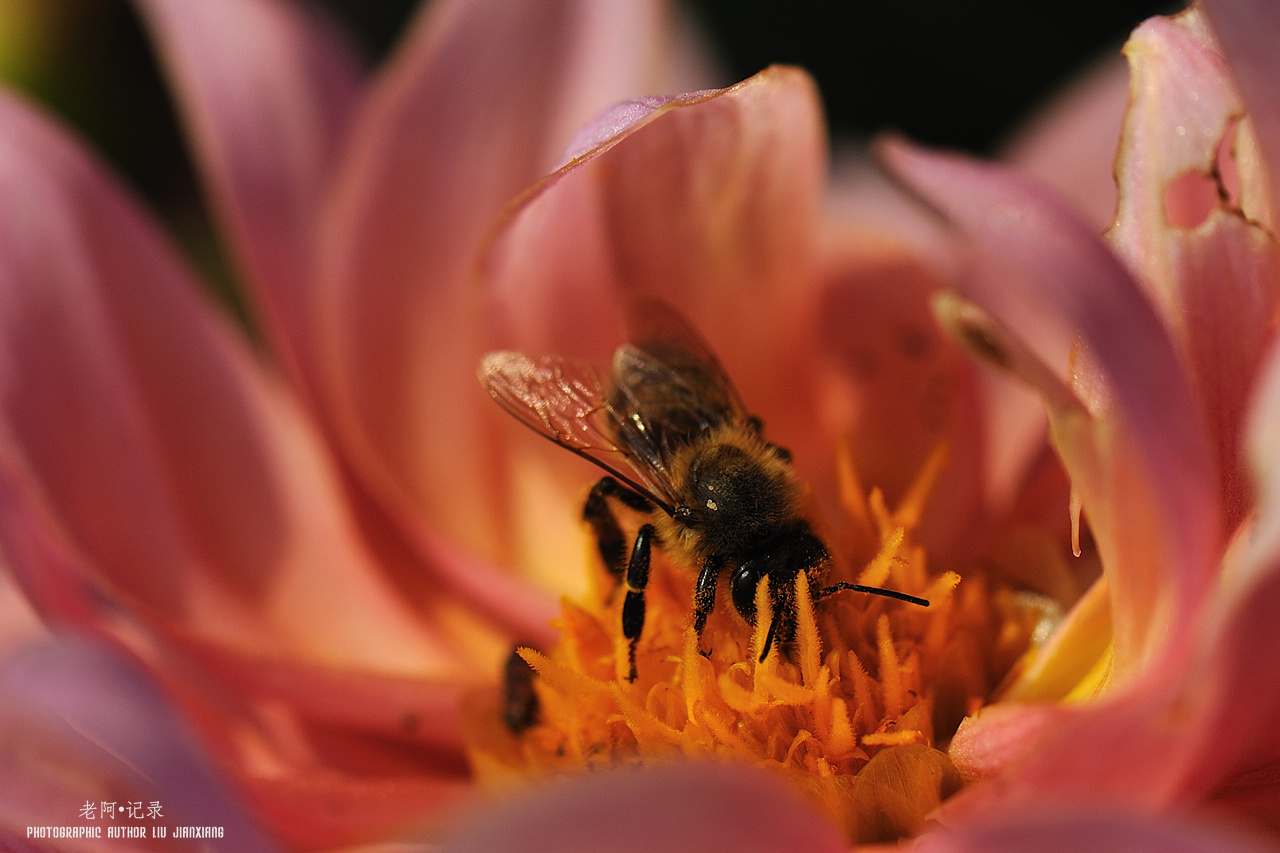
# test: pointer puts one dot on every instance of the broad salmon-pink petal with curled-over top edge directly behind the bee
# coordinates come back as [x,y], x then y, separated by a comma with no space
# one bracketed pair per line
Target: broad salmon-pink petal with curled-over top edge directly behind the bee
[710,202]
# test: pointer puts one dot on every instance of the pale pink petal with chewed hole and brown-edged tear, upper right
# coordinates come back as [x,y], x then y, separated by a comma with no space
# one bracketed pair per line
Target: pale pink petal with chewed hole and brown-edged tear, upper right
[1213,275]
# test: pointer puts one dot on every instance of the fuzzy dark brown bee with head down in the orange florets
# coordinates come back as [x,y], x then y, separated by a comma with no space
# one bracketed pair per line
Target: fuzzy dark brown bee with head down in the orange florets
[678,446]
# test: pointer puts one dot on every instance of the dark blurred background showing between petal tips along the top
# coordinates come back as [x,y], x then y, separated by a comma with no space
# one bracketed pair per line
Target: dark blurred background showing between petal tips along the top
[944,72]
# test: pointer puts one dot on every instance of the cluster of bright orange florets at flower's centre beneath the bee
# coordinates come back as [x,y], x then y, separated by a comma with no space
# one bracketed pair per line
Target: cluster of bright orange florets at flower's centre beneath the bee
[857,711]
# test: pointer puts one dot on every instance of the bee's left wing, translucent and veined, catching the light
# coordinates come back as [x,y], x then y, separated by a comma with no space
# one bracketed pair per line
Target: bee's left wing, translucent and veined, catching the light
[568,403]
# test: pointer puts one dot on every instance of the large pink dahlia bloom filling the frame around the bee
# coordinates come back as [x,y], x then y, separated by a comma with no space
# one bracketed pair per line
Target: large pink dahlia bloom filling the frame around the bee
[308,558]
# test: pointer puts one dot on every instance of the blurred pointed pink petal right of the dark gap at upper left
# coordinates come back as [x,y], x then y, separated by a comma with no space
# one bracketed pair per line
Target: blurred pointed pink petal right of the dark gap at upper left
[268,92]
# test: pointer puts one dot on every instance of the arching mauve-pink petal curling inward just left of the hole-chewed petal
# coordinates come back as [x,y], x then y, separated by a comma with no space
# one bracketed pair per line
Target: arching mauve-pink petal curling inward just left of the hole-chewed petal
[1154,512]
